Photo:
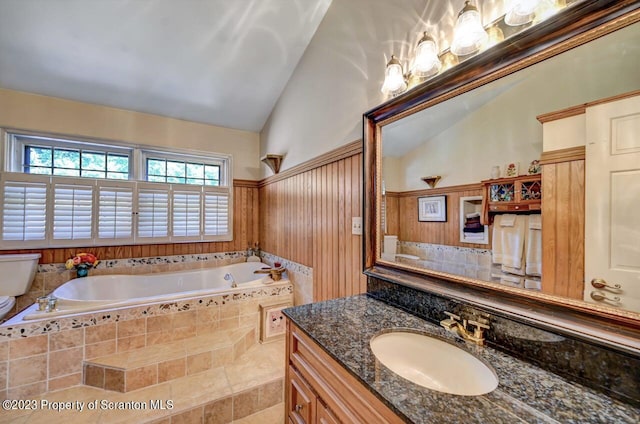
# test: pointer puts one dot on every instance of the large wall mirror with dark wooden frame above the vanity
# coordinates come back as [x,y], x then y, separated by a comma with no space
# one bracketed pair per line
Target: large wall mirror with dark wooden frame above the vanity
[512,134]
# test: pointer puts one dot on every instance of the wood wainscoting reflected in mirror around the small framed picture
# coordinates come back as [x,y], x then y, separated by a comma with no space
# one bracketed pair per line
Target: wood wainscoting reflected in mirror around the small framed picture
[402,216]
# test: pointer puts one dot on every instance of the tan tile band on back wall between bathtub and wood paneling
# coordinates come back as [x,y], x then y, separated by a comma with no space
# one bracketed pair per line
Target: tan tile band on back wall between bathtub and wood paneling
[51,276]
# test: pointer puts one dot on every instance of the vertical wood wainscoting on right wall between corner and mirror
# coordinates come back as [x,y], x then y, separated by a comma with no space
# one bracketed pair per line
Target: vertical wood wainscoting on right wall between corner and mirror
[305,216]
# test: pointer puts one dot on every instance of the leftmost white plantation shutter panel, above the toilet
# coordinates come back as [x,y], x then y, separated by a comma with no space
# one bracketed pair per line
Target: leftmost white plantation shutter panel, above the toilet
[24,208]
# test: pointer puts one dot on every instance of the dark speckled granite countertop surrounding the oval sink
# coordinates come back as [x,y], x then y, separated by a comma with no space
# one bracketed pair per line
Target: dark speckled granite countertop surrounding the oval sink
[343,328]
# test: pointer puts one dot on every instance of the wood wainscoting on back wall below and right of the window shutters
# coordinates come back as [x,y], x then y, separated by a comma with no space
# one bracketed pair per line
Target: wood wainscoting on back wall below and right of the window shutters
[245,232]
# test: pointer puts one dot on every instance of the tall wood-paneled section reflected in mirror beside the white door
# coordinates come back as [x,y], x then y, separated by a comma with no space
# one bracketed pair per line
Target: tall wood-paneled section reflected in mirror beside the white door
[563,210]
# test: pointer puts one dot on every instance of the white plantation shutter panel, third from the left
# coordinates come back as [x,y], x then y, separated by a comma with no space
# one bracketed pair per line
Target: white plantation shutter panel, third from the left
[115,211]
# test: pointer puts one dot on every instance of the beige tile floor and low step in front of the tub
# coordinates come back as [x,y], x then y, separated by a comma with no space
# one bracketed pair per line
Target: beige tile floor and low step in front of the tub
[249,390]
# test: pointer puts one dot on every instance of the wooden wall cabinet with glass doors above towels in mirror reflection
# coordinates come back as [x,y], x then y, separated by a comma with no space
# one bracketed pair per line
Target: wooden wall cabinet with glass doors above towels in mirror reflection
[513,194]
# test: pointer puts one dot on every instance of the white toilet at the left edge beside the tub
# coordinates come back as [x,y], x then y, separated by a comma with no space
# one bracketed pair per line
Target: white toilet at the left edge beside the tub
[16,275]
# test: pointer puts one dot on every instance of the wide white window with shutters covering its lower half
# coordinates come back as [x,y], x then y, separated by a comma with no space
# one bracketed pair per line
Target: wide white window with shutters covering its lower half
[59,192]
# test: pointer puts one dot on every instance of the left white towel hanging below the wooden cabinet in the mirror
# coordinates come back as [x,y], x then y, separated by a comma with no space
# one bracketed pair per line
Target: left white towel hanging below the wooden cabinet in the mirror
[508,242]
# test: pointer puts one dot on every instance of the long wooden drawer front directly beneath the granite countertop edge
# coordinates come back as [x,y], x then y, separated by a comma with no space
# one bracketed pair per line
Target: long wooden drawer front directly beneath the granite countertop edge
[348,400]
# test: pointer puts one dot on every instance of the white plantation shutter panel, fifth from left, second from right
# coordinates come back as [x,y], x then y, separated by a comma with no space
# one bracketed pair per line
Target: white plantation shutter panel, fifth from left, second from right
[186,214]
